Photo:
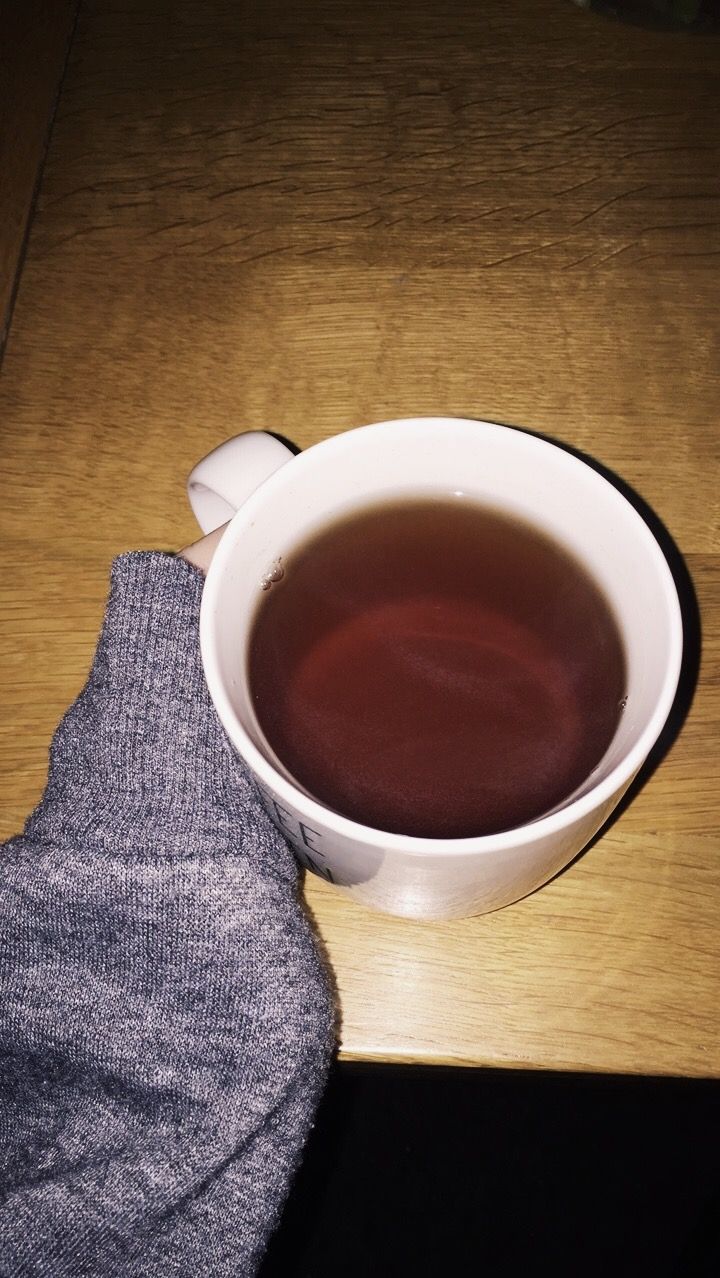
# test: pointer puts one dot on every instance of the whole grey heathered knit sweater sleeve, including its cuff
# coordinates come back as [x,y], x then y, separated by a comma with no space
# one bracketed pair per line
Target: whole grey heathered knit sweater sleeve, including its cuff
[166,1018]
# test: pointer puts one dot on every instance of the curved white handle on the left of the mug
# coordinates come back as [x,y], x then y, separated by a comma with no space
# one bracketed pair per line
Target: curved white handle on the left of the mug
[219,485]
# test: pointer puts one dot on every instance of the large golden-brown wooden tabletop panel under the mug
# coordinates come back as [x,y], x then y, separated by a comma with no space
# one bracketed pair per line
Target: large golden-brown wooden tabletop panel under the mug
[310,217]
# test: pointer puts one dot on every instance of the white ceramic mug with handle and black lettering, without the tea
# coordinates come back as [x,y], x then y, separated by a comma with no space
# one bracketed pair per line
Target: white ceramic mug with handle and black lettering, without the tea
[276,500]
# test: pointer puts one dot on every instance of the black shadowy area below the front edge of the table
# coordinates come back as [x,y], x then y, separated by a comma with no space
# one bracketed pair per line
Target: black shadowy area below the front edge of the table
[435,1171]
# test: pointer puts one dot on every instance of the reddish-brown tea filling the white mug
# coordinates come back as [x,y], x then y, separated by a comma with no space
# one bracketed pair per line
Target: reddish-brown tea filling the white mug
[435,668]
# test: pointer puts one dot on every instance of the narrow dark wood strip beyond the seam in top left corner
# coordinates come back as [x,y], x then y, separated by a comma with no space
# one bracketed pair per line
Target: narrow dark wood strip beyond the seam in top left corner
[34,45]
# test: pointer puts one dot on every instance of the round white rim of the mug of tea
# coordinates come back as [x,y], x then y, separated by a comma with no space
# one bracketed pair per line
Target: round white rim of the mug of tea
[549,825]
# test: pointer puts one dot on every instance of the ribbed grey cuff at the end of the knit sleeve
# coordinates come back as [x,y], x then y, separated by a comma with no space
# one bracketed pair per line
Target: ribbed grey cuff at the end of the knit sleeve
[143,747]
